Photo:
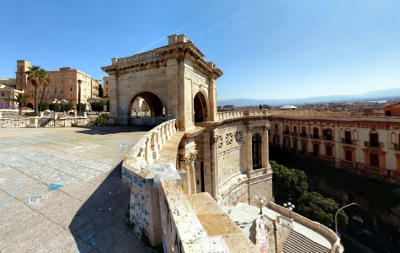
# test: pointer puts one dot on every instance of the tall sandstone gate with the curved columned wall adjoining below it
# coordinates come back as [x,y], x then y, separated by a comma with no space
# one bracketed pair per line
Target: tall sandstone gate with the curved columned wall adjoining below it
[229,156]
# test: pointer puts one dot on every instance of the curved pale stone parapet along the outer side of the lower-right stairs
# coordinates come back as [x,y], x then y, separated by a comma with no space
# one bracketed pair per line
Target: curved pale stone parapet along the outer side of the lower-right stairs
[315,226]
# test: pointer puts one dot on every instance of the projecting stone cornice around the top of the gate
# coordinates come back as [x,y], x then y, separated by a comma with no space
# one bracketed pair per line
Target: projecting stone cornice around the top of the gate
[158,58]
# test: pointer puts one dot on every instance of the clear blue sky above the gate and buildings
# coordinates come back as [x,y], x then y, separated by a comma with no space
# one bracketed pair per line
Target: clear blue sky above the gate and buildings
[266,48]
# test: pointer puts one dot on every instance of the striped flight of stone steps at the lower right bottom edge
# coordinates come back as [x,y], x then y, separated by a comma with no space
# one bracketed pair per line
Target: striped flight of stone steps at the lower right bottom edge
[298,243]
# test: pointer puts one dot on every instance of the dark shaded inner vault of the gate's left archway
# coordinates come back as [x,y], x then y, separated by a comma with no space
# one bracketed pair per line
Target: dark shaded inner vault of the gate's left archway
[156,106]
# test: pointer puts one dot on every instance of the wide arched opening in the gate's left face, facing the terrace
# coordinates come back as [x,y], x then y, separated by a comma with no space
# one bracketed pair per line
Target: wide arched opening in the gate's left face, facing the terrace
[146,108]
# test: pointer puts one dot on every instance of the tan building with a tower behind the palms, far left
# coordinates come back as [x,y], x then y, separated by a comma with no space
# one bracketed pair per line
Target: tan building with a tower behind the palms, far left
[63,84]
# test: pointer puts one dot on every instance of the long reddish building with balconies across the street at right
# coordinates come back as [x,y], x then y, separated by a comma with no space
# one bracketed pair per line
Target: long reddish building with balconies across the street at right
[369,145]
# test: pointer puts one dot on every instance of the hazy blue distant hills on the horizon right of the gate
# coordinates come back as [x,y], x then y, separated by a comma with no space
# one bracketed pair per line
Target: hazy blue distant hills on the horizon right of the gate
[372,95]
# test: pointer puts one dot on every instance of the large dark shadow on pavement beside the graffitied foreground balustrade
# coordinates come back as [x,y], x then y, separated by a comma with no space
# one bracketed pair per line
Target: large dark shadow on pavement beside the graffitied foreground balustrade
[100,223]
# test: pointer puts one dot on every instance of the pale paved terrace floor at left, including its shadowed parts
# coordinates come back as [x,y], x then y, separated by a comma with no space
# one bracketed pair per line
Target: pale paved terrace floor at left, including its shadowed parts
[61,190]
